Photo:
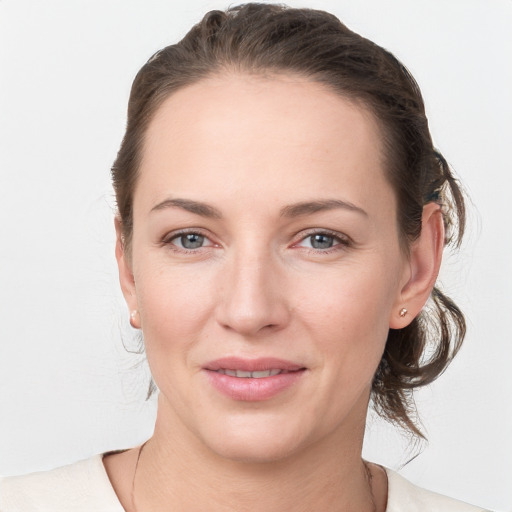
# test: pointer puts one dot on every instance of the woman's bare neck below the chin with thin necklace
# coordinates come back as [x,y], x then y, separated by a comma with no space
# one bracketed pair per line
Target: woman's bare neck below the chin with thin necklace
[174,467]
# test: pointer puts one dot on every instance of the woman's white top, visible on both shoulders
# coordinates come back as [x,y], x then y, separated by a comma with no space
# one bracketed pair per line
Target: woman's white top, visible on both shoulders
[85,487]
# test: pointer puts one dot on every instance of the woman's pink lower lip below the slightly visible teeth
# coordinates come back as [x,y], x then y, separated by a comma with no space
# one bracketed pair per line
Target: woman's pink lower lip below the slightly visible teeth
[250,389]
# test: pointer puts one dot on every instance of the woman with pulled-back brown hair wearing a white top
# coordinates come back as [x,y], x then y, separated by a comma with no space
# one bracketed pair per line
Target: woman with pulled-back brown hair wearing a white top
[281,219]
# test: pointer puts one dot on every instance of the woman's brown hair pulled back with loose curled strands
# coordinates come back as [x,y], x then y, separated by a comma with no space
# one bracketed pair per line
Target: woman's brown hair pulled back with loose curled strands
[274,39]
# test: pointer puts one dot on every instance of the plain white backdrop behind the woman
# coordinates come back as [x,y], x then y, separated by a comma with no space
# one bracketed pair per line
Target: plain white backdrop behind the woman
[68,387]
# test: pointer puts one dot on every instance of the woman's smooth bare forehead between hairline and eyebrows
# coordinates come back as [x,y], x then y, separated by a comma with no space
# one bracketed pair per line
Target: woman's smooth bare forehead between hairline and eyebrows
[254,133]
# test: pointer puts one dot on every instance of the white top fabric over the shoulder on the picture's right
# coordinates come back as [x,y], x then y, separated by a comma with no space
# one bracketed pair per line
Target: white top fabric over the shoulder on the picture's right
[403,496]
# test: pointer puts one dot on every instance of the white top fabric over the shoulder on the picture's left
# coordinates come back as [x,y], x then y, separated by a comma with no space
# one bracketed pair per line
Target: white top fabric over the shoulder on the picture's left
[80,487]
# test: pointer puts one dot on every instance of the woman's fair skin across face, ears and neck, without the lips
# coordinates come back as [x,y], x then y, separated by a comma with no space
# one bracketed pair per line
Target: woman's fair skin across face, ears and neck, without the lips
[250,147]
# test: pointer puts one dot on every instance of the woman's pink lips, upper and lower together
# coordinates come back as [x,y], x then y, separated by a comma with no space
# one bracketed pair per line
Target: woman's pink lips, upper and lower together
[248,388]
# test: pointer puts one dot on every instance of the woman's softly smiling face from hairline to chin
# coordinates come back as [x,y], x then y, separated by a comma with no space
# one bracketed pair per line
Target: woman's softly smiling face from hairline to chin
[265,264]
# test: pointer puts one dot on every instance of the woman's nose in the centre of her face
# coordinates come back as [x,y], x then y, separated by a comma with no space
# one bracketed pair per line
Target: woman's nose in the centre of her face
[253,294]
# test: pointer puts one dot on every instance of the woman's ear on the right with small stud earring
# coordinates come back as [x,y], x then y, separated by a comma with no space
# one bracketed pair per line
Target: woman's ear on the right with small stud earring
[423,268]
